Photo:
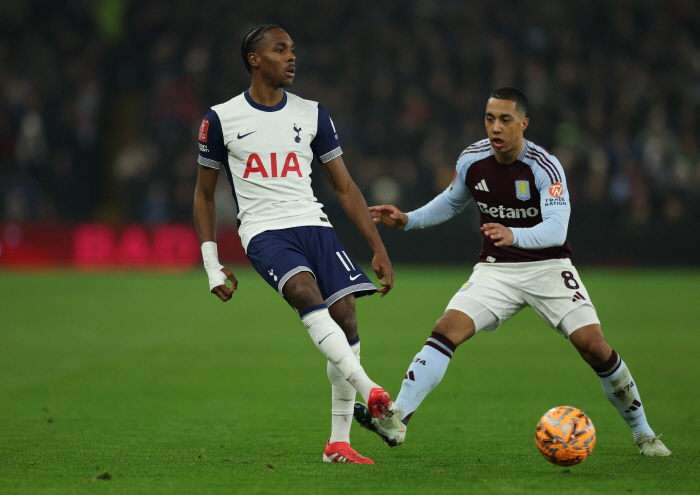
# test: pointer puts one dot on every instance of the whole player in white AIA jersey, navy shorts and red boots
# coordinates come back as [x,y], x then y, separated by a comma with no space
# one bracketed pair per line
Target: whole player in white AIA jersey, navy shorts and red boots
[266,140]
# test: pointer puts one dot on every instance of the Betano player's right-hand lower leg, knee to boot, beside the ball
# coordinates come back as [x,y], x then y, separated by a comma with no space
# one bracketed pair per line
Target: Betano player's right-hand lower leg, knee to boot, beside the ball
[618,386]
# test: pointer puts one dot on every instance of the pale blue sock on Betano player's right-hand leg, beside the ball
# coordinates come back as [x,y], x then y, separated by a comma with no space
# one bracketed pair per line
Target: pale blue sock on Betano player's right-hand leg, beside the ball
[623,393]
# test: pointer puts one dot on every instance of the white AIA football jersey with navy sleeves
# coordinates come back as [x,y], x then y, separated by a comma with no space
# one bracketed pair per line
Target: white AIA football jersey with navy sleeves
[267,153]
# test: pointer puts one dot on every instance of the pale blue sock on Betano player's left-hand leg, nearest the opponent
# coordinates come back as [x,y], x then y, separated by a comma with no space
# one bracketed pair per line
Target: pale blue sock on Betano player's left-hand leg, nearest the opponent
[424,374]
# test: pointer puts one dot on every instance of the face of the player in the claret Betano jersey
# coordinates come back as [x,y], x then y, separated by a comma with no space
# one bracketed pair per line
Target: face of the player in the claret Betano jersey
[505,126]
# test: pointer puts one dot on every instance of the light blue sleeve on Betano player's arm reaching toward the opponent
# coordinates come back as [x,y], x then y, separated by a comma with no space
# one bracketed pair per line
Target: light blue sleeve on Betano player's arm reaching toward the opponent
[446,205]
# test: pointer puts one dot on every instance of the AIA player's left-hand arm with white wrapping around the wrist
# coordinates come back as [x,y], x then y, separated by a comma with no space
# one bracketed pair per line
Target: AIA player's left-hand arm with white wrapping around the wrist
[205,223]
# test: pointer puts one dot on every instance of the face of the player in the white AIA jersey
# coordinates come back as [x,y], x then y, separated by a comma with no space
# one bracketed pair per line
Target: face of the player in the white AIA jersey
[275,58]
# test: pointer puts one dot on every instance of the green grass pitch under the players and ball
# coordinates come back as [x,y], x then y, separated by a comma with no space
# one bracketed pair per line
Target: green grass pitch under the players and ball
[145,383]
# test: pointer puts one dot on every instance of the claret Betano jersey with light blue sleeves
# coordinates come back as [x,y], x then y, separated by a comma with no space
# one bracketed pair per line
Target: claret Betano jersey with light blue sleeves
[529,196]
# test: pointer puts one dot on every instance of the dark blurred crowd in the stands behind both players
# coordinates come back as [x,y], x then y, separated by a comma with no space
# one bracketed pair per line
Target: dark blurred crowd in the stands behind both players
[100,101]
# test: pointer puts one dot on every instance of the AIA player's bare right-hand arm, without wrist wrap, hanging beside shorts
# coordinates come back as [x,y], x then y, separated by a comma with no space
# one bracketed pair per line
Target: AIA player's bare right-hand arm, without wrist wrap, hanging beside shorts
[355,207]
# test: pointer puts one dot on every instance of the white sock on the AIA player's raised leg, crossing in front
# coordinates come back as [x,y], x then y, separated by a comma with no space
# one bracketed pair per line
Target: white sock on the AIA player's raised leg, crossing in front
[331,341]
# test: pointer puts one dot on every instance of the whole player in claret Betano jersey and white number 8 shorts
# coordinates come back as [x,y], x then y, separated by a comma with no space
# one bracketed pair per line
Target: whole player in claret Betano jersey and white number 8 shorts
[521,192]
